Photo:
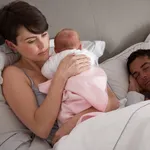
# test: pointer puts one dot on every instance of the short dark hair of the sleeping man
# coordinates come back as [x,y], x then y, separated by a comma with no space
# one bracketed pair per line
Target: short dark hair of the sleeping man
[134,55]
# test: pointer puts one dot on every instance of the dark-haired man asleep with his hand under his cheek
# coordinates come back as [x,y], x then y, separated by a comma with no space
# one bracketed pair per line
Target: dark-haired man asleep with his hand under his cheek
[138,65]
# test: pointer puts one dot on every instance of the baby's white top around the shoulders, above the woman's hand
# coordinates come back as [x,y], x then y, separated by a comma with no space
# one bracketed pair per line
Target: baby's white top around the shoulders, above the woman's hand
[50,66]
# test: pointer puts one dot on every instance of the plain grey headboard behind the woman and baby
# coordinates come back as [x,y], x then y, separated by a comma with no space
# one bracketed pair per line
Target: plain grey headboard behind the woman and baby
[120,23]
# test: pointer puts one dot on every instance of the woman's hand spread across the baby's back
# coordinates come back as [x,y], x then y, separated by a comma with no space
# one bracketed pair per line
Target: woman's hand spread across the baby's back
[73,64]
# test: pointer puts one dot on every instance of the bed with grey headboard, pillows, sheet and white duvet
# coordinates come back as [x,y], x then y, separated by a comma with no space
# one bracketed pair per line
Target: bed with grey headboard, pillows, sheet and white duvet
[124,26]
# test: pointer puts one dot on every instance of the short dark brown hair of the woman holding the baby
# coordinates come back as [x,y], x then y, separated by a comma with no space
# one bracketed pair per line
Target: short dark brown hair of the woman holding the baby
[17,14]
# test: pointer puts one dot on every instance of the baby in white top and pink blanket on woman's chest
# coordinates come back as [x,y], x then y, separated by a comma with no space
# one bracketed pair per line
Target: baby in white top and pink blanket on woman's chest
[88,89]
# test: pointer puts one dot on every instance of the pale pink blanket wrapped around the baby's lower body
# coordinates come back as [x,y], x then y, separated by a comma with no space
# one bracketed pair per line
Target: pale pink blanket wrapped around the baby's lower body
[81,92]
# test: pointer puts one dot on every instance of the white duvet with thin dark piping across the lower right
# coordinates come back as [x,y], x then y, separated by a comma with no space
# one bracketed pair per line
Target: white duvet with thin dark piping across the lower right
[123,129]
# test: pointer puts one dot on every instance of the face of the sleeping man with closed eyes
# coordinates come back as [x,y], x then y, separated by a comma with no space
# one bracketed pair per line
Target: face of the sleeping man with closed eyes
[140,70]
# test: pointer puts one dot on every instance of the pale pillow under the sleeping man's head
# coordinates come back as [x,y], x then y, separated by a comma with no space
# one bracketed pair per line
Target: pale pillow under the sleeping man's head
[116,69]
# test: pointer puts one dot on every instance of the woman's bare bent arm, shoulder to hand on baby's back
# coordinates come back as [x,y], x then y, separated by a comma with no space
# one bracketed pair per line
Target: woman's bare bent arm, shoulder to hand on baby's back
[20,97]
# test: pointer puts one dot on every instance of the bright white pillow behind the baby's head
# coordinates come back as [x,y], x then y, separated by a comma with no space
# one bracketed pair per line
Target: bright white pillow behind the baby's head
[97,47]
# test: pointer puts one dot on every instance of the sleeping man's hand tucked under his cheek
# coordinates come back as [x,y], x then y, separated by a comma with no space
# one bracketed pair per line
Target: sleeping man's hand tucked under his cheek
[133,85]
